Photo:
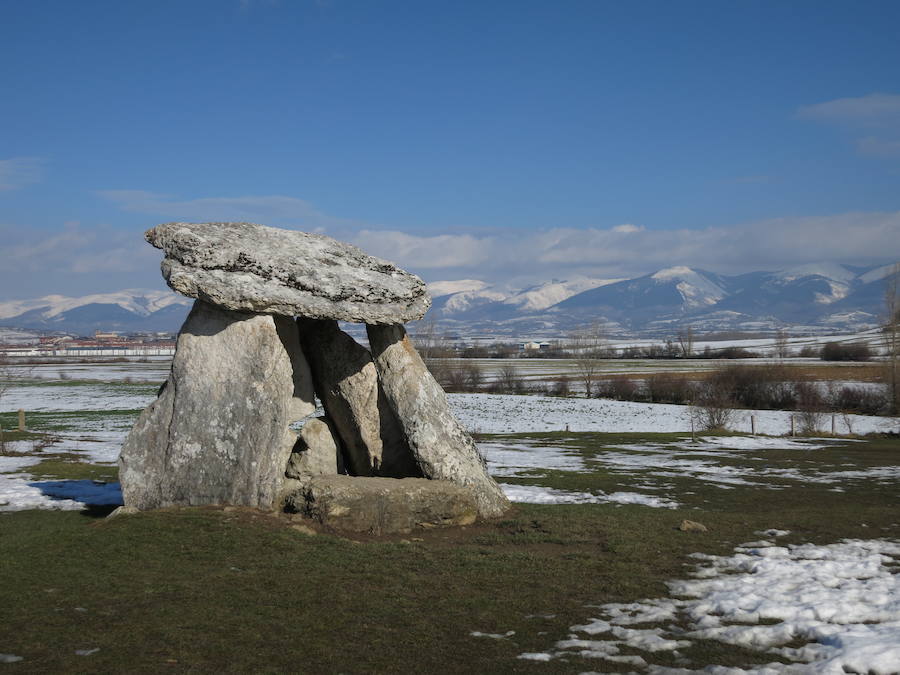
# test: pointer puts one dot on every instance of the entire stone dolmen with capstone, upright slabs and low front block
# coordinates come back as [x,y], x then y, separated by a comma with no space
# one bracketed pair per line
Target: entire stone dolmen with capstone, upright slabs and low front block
[235,424]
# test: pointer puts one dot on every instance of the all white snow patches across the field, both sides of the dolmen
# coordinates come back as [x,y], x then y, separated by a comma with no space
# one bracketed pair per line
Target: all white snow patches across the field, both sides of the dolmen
[826,608]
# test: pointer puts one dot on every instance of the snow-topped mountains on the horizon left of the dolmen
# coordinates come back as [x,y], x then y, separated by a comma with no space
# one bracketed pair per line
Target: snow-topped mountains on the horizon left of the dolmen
[128,310]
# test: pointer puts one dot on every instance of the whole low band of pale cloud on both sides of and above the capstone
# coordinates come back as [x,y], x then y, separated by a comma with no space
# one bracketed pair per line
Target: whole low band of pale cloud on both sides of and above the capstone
[78,258]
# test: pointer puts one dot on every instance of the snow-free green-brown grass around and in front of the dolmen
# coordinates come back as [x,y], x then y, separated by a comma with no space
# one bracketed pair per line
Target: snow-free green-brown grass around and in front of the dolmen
[233,590]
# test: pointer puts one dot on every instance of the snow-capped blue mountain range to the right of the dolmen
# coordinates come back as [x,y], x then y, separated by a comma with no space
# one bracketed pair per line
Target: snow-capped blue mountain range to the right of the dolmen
[826,295]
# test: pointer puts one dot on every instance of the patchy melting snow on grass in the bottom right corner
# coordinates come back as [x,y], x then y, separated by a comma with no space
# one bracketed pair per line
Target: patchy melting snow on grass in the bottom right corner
[842,599]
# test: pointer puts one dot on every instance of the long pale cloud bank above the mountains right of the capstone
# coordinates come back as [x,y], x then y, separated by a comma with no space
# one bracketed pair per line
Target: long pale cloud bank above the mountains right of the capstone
[854,238]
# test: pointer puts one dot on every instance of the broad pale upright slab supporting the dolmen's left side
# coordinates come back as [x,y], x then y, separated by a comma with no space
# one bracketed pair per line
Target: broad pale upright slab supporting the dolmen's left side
[218,432]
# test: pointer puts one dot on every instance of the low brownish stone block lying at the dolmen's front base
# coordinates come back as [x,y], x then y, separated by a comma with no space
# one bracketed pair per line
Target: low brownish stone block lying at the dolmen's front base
[382,505]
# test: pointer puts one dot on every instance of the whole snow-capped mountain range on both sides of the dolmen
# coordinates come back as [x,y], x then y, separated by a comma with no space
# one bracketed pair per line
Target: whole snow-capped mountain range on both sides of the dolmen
[825,297]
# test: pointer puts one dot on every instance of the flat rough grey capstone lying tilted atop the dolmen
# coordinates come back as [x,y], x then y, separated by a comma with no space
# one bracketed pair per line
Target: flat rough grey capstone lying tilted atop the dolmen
[249,267]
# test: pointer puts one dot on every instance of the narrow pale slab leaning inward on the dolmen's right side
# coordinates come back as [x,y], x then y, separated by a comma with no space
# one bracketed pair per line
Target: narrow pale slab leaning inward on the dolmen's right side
[442,448]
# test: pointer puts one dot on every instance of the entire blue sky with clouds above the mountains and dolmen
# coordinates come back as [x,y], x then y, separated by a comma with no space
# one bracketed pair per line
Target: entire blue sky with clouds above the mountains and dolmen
[493,140]
